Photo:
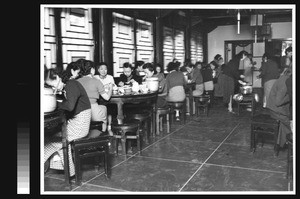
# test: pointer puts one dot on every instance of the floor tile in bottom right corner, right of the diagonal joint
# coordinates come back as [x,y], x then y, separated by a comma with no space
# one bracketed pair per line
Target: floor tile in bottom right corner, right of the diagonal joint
[227,179]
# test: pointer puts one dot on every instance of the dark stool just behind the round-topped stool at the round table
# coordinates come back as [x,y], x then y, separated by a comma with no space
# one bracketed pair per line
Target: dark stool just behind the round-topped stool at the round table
[145,118]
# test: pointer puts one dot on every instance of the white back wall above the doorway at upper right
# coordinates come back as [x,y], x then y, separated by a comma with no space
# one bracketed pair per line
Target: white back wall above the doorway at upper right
[217,37]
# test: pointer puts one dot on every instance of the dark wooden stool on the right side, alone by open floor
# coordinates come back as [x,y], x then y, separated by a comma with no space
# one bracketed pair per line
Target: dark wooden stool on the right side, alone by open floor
[264,124]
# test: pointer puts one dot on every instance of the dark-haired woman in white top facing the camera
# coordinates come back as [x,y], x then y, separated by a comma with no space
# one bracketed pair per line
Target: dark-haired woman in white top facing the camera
[107,80]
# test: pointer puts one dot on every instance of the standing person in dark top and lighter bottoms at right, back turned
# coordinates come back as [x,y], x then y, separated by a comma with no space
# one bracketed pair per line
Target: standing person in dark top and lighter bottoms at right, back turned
[269,74]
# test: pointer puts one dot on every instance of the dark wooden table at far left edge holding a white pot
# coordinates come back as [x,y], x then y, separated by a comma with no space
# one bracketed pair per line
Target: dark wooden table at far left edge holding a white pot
[55,122]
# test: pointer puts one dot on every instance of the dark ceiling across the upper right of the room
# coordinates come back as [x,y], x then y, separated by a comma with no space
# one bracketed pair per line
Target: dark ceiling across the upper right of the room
[211,18]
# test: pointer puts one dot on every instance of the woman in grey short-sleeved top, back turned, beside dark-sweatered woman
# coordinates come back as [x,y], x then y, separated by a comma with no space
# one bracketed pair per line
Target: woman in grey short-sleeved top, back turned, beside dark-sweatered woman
[94,89]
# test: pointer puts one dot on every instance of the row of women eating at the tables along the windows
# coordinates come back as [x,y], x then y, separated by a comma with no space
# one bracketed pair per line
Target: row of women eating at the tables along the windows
[88,87]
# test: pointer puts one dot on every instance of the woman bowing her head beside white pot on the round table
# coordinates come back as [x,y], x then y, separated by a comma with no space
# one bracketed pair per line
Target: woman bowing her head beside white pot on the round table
[162,89]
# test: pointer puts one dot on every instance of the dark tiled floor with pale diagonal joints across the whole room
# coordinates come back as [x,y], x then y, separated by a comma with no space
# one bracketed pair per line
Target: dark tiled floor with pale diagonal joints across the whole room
[206,155]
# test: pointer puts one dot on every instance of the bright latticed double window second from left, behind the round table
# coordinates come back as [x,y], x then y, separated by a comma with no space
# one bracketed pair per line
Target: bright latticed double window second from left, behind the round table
[125,48]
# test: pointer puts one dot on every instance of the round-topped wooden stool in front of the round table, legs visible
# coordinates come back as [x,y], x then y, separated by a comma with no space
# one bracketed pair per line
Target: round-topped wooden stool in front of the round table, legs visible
[130,129]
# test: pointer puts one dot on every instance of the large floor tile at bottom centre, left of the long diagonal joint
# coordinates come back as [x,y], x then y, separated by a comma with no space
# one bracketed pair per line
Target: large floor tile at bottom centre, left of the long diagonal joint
[148,174]
